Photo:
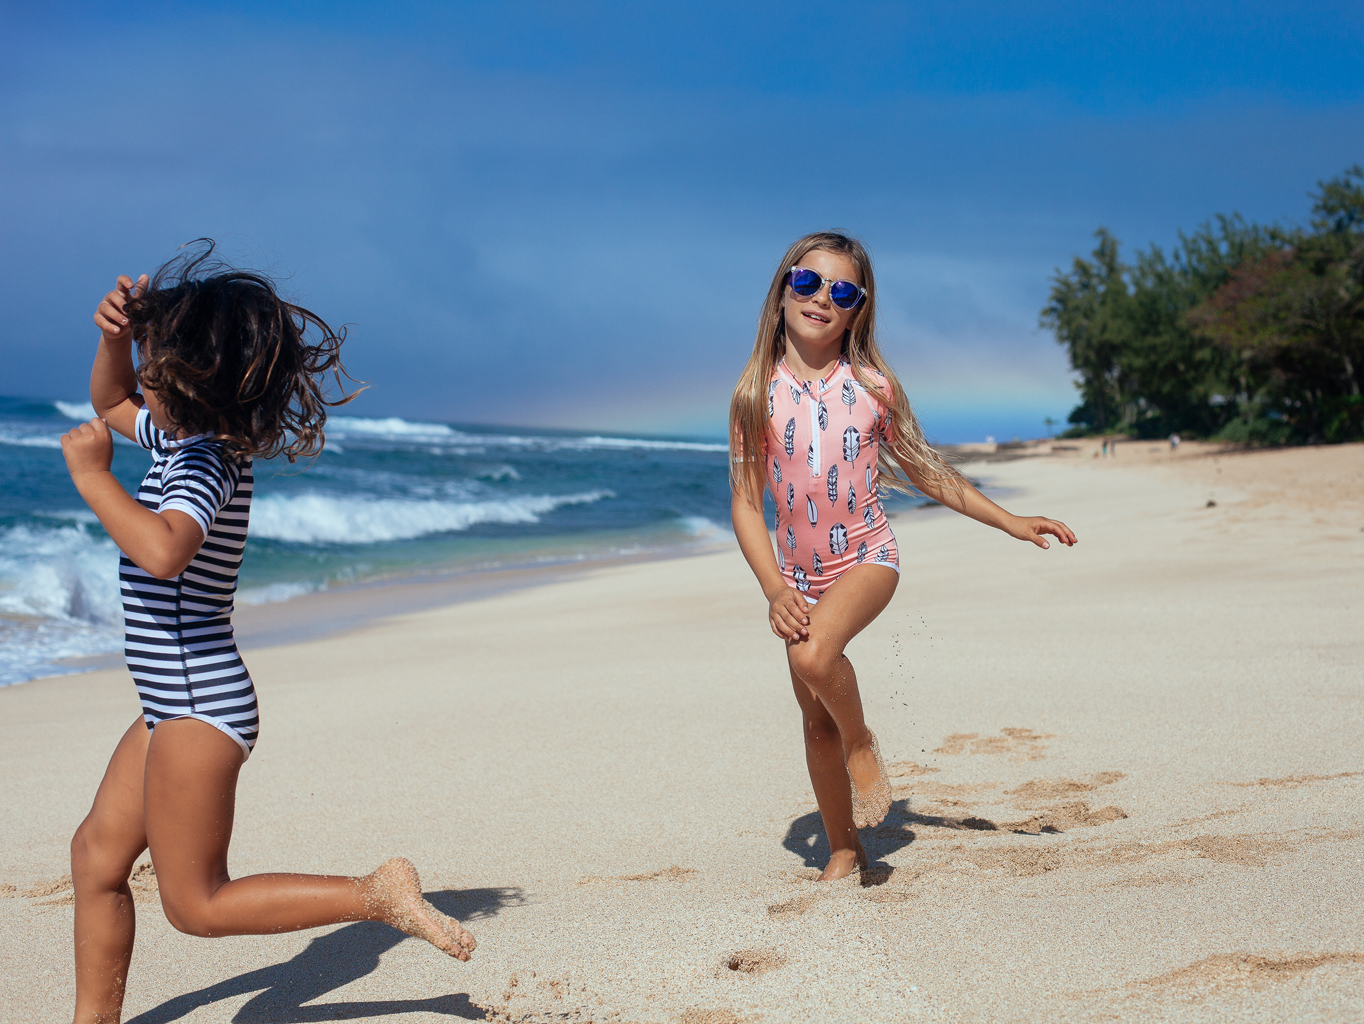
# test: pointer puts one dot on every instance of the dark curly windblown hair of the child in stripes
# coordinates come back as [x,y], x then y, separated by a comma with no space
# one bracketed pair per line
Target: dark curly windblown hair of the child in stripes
[227,357]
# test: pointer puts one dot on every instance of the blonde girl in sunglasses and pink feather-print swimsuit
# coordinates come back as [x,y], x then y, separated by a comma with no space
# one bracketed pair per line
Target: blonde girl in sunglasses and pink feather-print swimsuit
[820,421]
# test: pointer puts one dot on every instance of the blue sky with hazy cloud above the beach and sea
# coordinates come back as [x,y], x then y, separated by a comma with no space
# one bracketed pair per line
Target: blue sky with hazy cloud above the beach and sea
[567,213]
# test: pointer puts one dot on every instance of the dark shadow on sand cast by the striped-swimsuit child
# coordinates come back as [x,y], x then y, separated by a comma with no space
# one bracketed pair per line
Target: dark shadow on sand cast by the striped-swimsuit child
[332,962]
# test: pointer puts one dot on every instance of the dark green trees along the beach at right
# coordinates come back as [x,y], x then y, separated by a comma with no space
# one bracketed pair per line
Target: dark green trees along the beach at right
[1242,333]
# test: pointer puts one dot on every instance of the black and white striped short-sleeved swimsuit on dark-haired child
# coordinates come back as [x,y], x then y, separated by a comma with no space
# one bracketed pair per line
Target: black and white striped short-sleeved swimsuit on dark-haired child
[178,633]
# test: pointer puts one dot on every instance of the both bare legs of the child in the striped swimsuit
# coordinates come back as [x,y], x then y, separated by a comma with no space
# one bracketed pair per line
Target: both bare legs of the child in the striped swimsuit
[174,792]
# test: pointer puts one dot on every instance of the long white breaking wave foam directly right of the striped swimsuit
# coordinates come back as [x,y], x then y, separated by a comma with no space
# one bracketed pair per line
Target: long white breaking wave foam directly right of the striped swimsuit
[318,519]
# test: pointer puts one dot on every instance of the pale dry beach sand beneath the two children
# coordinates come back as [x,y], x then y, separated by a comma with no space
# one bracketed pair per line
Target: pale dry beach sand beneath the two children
[1129,783]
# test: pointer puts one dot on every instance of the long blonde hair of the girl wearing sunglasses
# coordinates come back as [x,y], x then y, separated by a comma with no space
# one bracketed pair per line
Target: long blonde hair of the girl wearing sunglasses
[750,406]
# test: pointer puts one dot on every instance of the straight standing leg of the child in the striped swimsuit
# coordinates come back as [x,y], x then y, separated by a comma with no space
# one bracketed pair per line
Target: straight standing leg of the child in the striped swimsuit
[103,853]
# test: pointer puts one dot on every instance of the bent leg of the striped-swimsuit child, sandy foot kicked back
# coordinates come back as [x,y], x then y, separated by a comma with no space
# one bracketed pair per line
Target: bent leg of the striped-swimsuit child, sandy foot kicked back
[190,793]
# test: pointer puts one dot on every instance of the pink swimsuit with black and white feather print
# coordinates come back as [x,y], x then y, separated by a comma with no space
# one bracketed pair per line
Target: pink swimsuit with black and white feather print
[820,455]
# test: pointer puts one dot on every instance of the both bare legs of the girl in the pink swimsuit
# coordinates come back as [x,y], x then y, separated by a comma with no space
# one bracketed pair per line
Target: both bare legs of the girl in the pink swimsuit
[837,740]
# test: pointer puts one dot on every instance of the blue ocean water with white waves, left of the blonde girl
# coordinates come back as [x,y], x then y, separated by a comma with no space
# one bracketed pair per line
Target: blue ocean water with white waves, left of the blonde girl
[388,498]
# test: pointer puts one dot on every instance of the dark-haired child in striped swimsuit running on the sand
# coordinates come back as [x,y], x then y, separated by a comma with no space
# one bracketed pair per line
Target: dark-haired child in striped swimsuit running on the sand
[226,376]
